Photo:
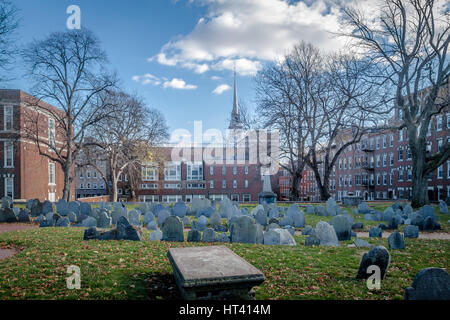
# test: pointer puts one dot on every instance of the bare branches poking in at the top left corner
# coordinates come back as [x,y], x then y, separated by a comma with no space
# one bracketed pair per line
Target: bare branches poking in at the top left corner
[8,25]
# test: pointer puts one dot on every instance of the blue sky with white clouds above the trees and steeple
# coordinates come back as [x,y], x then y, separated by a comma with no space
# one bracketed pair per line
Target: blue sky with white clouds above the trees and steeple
[180,54]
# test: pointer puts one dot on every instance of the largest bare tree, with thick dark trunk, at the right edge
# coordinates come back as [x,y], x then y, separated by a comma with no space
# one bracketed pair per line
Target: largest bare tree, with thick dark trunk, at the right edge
[408,42]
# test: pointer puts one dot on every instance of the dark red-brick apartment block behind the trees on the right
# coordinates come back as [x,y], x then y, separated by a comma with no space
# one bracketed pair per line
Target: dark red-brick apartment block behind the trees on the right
[379,167]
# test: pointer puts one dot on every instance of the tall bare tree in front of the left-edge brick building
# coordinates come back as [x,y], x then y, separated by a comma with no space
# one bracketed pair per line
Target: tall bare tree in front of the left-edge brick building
[67,69]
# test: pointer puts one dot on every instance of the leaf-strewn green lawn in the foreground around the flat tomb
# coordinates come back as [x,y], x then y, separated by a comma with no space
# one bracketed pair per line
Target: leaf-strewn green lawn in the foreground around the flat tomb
[141,270]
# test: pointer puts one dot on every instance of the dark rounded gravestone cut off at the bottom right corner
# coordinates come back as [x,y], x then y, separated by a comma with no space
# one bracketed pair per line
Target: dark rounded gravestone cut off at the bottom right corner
[429,284]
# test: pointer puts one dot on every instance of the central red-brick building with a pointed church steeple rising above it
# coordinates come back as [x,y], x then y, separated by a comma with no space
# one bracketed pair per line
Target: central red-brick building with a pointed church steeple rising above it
[232,174]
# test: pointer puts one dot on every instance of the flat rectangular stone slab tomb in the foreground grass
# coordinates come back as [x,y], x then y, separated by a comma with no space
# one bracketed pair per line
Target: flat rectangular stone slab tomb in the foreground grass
[213,272]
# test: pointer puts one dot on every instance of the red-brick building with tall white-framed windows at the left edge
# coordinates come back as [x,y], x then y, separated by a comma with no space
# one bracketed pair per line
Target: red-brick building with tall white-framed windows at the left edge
[24,173]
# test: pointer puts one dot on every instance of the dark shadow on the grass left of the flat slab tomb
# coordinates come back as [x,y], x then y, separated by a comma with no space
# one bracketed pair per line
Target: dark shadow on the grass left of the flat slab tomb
[151,286]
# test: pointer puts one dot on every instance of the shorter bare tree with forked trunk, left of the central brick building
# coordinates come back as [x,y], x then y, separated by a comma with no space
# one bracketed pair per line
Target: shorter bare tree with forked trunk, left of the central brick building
[127,139]
